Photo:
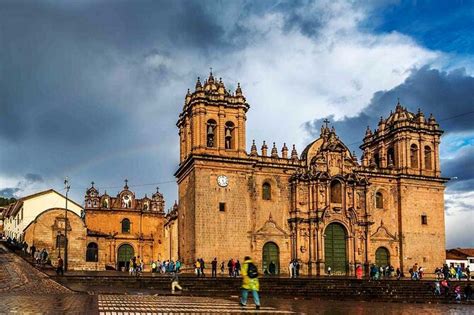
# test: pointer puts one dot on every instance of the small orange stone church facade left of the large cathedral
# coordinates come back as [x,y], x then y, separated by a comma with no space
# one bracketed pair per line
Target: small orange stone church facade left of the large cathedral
[125,226]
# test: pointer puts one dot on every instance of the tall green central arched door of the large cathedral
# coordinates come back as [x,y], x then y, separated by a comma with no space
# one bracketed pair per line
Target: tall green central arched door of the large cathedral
[335,252]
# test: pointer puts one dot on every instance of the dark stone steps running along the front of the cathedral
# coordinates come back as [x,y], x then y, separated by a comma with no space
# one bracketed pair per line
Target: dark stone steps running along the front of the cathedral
[328,287]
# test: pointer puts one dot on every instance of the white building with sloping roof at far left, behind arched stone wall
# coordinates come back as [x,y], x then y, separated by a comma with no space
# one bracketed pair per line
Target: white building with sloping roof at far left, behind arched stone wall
[21,213]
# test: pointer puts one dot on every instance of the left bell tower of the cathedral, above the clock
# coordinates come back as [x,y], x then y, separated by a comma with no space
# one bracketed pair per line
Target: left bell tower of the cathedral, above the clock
[213,121]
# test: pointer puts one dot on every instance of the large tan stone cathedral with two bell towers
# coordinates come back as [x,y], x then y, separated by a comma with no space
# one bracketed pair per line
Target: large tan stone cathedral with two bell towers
[323,207]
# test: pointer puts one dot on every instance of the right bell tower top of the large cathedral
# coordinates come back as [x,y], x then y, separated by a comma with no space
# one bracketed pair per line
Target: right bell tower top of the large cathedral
[404,142]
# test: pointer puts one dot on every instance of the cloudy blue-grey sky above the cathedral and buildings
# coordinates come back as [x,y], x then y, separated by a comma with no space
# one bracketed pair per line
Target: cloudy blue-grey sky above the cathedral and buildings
[92,89]
